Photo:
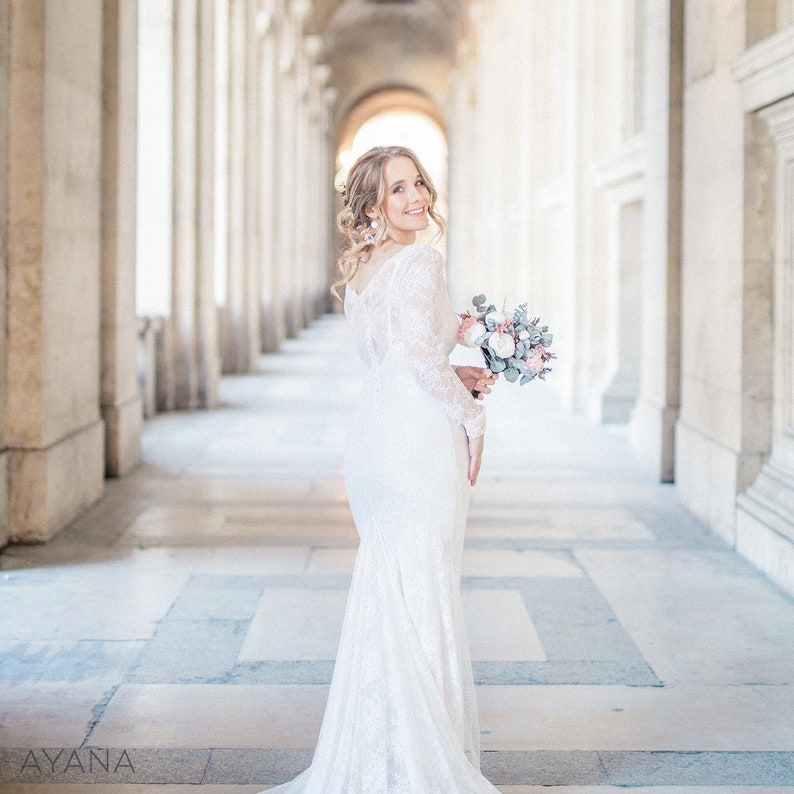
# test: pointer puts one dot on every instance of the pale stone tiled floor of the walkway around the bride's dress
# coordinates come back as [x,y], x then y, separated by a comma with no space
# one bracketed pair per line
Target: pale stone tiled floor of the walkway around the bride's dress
[182,633]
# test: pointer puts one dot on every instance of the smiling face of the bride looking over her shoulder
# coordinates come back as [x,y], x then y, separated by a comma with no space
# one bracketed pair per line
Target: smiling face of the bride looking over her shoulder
[406,200]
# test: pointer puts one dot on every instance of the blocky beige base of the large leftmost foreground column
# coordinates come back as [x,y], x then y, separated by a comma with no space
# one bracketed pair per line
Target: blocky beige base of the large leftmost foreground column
[50,487]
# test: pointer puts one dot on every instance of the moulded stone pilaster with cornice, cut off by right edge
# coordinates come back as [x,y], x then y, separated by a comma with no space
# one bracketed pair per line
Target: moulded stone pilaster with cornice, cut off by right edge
[765,512]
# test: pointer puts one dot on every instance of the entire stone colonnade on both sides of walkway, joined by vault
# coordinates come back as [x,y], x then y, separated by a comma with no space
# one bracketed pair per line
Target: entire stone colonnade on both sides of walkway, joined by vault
[625,167]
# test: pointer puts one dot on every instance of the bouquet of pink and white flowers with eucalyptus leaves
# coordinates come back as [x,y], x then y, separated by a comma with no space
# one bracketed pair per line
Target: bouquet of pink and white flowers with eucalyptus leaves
[511,343]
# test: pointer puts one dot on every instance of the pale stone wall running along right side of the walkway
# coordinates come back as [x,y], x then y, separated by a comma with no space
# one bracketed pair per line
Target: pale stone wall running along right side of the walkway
[634,182]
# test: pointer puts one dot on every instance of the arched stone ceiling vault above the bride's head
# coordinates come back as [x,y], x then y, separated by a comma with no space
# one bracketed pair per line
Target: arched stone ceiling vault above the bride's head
[372,45]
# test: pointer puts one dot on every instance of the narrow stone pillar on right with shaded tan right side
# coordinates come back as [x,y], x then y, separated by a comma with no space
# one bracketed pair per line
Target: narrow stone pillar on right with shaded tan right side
[656,410]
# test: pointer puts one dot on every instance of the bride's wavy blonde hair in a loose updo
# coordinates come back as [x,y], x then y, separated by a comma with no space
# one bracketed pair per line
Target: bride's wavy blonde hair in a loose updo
[365,188]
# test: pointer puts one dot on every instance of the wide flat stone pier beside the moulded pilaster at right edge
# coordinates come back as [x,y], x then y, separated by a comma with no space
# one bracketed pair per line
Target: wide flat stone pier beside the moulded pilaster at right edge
[718,454]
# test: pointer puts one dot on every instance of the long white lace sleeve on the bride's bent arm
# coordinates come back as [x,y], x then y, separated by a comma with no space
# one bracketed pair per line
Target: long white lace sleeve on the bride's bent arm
[424,310]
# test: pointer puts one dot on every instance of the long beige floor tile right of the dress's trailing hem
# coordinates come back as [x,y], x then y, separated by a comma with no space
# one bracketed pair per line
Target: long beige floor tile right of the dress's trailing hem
[640,718]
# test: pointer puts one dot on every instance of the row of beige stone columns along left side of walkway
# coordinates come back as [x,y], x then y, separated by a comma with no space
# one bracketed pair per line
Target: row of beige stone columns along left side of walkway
[77,351]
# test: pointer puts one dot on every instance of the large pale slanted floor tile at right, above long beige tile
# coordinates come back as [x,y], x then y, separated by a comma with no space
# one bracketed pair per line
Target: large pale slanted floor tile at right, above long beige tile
[673,604]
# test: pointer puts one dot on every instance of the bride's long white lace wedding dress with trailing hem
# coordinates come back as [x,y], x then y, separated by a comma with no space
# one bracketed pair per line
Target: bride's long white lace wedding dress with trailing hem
[401,715]
